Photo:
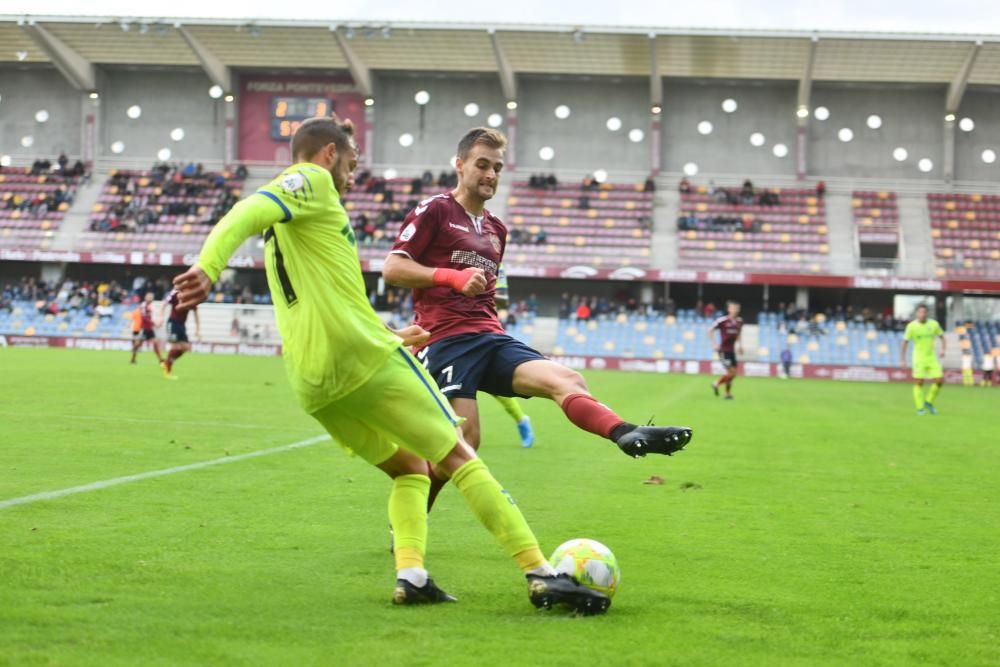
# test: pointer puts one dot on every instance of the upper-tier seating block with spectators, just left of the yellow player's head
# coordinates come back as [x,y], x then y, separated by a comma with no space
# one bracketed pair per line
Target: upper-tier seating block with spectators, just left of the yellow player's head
[168,209]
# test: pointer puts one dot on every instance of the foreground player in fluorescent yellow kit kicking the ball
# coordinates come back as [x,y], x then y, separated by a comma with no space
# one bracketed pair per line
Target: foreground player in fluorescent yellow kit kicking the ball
[353,375]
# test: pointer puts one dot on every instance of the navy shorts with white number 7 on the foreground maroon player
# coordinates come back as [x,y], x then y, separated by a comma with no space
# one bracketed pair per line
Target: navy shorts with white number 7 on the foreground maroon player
[464,364]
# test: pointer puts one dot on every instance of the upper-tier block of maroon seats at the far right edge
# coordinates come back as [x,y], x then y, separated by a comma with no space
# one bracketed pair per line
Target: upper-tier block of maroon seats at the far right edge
[966,233]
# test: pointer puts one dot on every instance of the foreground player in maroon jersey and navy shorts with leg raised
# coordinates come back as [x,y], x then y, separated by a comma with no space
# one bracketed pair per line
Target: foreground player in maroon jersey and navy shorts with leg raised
[449,251]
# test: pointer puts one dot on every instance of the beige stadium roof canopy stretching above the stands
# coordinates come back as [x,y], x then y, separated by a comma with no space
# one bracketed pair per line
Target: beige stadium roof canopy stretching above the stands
[510,49]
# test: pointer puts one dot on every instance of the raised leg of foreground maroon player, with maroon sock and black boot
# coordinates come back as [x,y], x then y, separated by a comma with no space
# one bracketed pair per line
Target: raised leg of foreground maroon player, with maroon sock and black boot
[544,378]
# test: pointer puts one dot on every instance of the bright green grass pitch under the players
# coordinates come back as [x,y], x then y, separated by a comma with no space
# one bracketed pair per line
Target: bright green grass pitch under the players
[808,523]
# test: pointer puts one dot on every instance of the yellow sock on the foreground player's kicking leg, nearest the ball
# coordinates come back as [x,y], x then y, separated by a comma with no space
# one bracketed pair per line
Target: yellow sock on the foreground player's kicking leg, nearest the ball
[498,512]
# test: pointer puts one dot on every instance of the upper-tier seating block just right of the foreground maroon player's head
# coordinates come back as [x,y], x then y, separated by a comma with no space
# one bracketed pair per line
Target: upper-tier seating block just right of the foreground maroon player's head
[606,225]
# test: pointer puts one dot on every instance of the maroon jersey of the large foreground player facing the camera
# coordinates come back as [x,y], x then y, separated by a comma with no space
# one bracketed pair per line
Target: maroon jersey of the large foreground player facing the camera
[441,234]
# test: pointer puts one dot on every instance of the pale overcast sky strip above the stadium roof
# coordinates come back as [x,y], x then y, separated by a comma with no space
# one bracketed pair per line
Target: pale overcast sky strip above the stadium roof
[935,16]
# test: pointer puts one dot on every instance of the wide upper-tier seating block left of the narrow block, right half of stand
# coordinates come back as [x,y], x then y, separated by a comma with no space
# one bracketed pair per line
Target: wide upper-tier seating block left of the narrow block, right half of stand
[773,230]
